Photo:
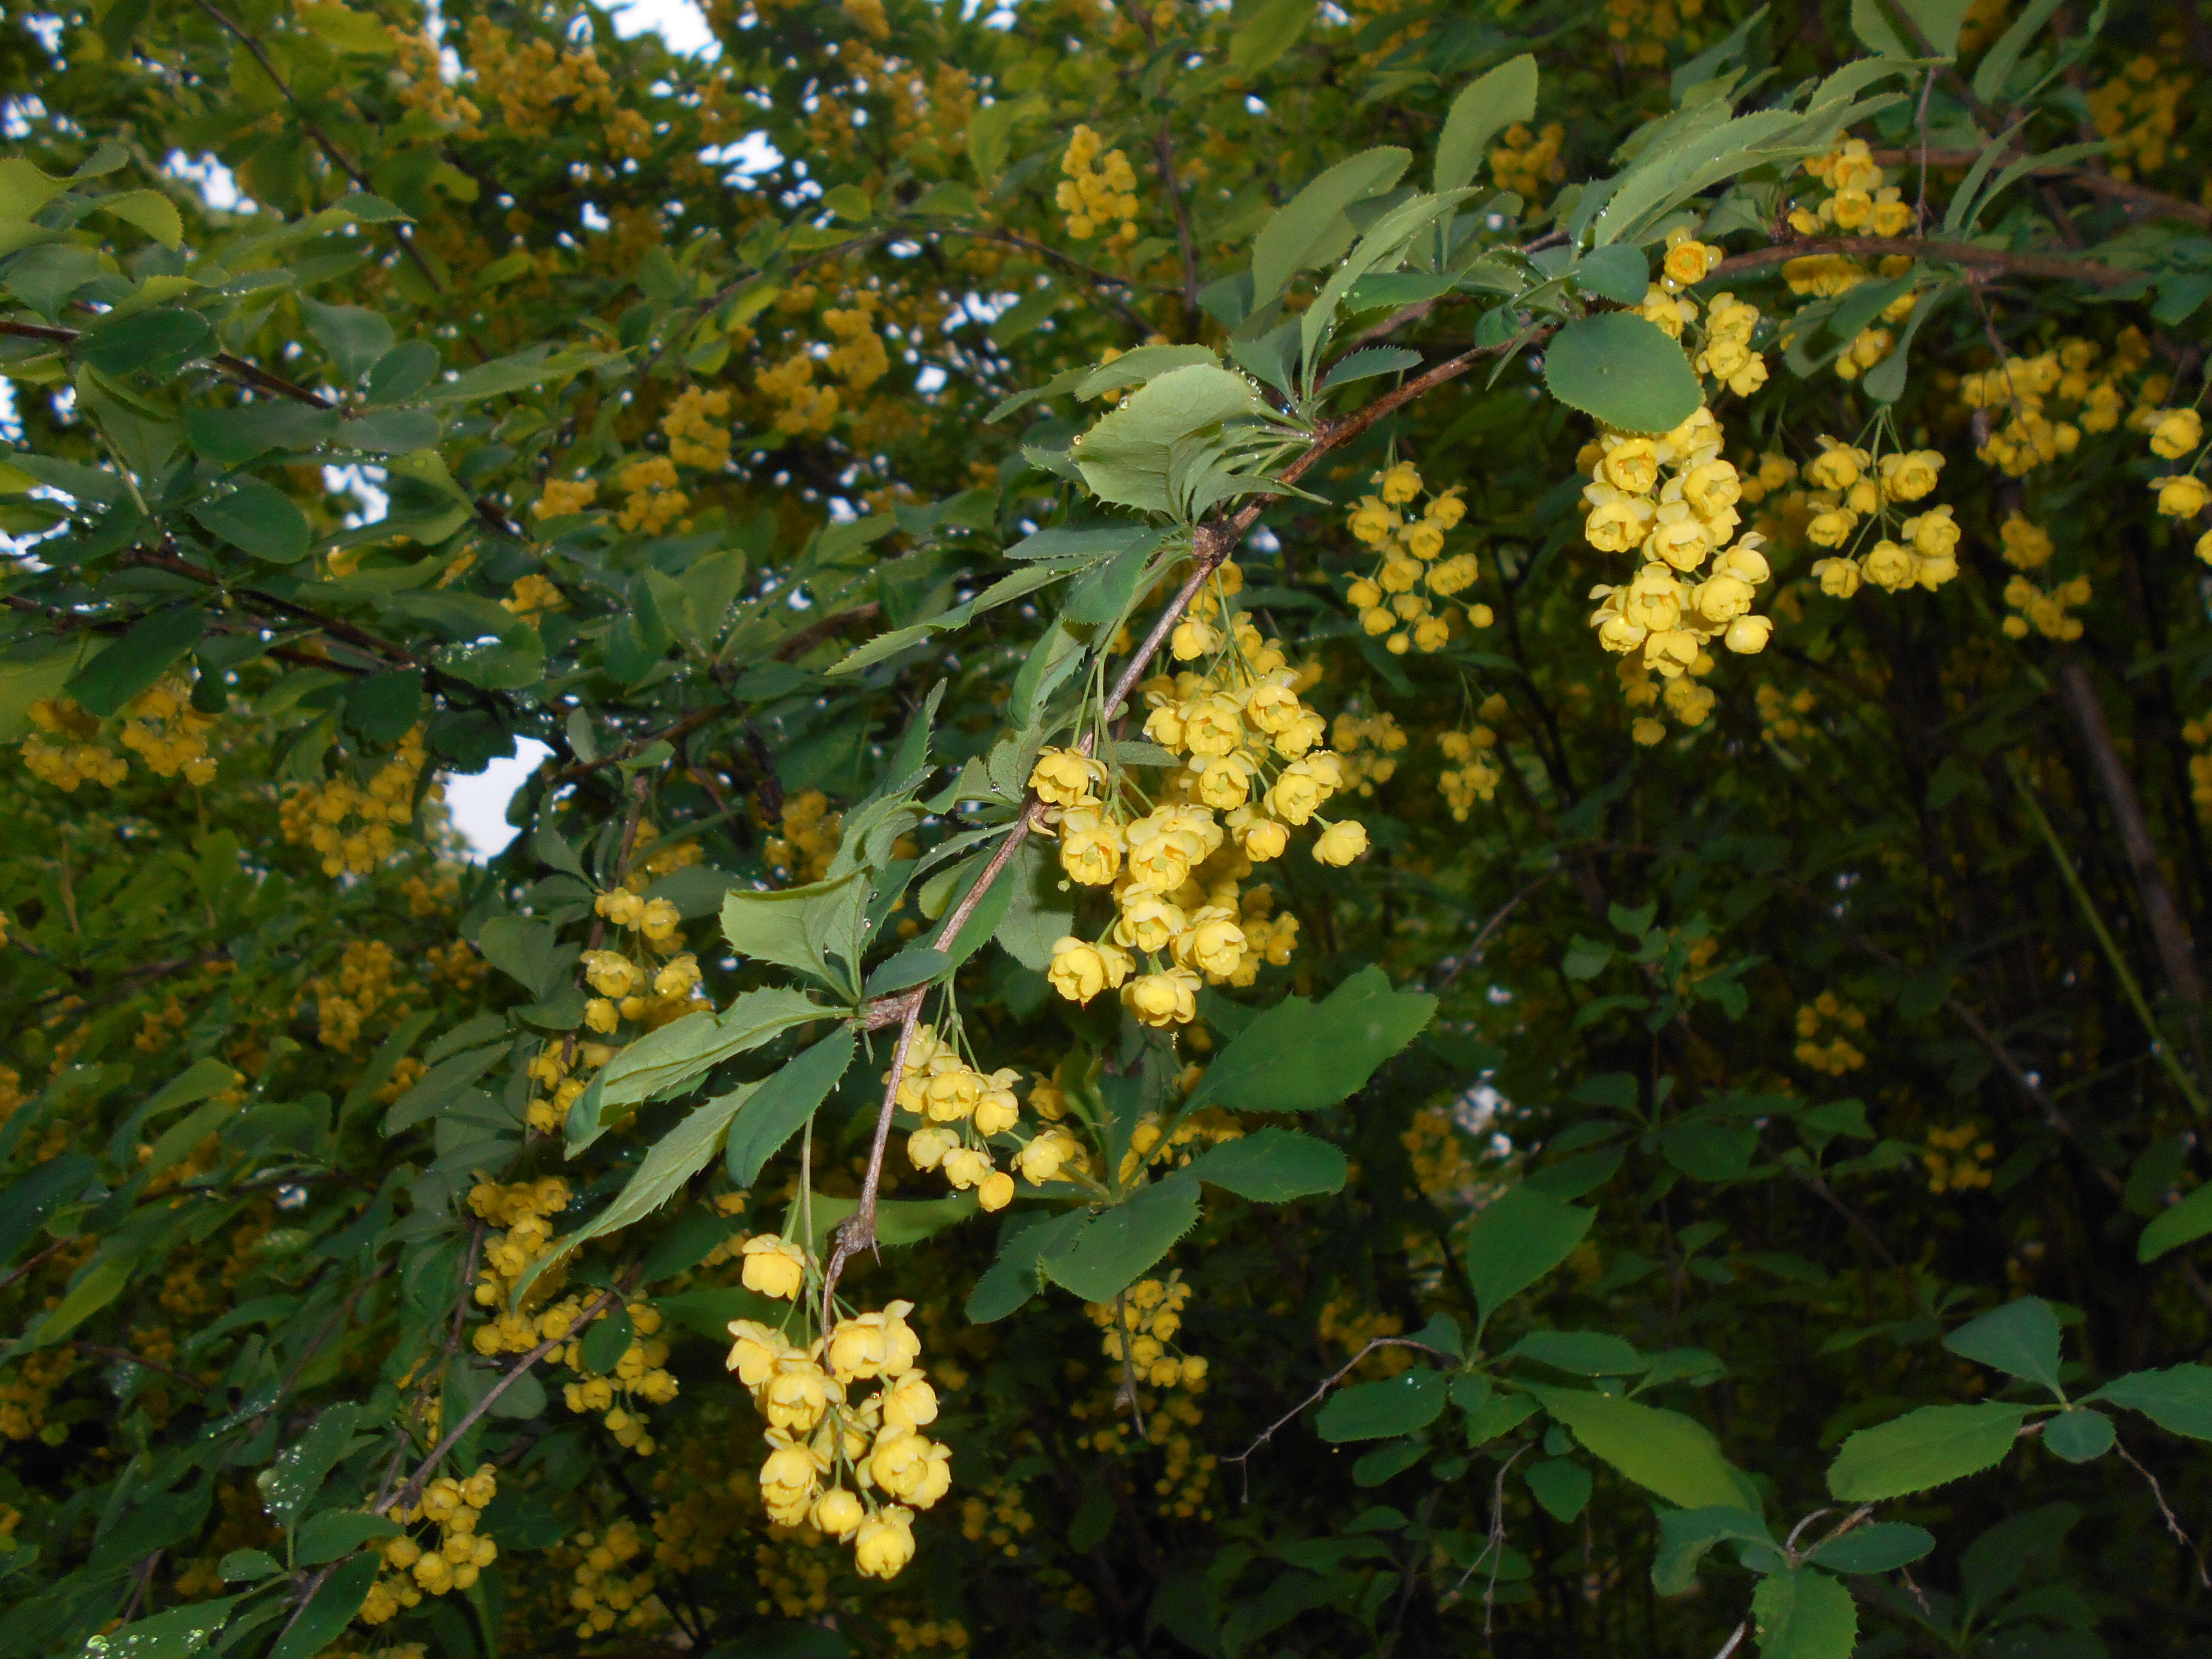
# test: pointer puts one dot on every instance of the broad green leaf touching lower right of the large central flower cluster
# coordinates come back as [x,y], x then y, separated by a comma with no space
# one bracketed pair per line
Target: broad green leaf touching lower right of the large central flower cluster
[1302,1056]
